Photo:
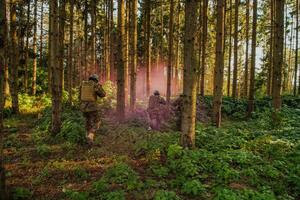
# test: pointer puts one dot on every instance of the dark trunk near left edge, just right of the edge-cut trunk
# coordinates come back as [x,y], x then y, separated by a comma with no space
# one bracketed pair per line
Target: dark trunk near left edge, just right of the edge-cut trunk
[14,56]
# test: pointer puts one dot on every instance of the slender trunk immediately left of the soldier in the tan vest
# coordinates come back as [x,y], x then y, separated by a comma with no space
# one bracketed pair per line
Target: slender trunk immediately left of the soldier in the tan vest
[70,58]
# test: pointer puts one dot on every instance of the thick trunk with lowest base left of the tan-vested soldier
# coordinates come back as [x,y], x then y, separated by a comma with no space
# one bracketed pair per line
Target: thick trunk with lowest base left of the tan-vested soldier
[56,68]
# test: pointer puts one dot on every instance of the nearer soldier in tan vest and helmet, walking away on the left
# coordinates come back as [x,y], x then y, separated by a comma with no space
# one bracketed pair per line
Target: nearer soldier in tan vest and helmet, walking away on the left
[89,90]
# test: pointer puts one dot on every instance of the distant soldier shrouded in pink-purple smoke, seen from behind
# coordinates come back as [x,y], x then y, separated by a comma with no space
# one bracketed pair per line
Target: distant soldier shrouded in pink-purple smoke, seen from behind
[156,108]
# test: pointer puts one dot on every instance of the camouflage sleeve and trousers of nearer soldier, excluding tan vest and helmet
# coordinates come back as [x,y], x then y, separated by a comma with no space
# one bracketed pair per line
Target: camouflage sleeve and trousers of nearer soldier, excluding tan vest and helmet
[91,111]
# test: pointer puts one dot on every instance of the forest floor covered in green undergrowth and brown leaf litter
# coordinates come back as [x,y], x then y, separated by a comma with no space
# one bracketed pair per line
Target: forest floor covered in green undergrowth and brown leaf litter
[245,159]
